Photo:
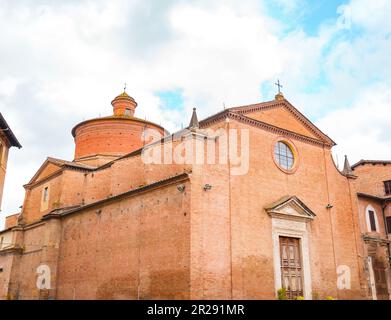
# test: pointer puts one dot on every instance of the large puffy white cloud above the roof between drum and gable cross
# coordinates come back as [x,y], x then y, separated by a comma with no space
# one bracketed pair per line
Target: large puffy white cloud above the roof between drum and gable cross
[219,56]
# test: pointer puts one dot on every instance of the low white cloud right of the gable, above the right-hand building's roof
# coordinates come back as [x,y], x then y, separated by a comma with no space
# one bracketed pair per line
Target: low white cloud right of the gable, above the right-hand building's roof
[362,131]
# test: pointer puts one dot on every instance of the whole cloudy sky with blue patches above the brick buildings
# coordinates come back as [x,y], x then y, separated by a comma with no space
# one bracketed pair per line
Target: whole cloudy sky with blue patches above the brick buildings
[64,61]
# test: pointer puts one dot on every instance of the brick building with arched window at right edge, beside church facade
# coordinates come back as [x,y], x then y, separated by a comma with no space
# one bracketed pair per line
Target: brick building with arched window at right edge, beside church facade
[373,187]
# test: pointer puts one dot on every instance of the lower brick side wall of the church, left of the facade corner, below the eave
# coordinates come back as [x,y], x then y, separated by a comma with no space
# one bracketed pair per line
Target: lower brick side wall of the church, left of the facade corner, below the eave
[137,248]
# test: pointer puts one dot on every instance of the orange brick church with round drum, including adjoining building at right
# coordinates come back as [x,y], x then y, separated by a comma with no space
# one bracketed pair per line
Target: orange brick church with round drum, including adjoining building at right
[131,217]
